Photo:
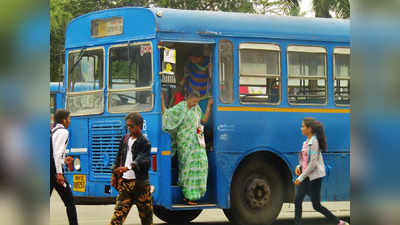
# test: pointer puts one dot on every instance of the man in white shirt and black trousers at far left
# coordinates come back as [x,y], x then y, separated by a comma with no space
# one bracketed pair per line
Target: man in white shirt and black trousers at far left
[58,144]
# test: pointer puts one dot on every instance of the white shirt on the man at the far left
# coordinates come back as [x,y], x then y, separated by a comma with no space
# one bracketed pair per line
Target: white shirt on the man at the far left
[60,139]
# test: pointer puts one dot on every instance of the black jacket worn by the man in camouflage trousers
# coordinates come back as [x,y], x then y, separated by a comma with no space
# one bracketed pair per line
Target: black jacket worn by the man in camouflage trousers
[140,156]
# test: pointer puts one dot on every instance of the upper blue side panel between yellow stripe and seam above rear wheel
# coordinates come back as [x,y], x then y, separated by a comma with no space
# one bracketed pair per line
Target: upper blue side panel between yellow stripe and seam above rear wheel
[238,131]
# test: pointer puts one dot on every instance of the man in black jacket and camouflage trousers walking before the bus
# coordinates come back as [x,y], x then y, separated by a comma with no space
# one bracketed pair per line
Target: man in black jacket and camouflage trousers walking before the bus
[130,174]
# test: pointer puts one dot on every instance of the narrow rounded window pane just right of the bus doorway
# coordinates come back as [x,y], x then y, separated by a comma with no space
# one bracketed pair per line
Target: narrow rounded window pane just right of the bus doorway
[226,71]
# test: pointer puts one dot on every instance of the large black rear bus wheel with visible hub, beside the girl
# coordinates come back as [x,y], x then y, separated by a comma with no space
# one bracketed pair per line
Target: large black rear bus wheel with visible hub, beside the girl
[256,194]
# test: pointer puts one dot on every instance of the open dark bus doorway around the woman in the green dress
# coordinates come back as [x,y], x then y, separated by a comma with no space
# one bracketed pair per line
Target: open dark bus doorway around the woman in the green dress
[174,57]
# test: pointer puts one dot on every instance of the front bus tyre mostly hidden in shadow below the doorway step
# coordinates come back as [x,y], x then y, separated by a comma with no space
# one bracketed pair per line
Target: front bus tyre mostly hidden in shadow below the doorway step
[175,217]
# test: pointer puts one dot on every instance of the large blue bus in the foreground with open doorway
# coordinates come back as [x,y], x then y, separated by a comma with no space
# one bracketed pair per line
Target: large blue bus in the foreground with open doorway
[269,72]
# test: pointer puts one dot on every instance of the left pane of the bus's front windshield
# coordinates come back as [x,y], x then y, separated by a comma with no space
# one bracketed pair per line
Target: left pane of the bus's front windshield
[85,82]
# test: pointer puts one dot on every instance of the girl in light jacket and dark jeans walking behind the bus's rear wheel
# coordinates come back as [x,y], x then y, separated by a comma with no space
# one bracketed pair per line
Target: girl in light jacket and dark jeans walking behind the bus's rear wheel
[311,170]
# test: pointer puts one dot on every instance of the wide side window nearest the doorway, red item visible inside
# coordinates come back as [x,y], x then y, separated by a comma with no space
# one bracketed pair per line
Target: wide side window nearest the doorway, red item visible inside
[260,76]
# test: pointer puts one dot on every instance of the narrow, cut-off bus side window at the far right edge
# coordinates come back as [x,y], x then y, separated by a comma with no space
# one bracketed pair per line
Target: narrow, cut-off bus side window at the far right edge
[341,73]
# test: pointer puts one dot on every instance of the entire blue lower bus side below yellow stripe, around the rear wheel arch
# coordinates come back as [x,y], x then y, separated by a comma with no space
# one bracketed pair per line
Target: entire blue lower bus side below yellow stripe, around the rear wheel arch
[240,131]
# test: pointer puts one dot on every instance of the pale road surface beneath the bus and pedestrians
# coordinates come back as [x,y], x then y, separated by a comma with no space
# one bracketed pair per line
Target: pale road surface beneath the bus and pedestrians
[101,214]
